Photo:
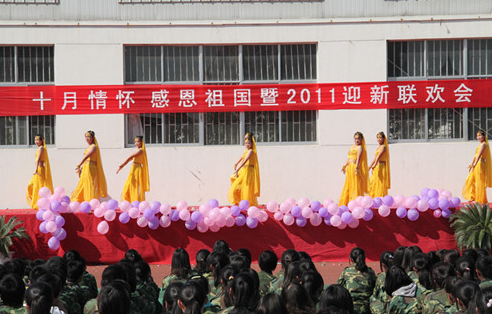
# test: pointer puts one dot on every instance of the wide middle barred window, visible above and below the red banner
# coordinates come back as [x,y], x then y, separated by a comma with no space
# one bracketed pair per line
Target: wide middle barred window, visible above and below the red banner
[222,65]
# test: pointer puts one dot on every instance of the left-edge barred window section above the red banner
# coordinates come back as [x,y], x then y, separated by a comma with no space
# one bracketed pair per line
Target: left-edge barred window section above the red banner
[30,64]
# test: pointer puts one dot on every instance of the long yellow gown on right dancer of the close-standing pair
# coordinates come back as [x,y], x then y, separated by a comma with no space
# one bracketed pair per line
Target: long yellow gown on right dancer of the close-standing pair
[380,181]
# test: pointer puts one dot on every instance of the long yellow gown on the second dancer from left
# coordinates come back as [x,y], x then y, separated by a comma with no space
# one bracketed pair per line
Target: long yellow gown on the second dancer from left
[92,182]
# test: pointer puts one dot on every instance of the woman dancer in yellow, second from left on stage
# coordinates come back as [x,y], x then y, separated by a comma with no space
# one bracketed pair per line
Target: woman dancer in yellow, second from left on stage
[92,182]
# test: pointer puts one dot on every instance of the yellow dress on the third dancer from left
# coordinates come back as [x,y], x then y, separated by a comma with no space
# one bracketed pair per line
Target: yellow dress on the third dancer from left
[137,182]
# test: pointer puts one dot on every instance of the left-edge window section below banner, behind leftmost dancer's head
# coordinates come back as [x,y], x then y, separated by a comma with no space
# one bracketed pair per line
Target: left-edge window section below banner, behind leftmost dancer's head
[20,131]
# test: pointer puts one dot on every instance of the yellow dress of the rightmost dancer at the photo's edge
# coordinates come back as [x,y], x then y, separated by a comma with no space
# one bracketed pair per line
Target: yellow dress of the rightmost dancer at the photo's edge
[475,187]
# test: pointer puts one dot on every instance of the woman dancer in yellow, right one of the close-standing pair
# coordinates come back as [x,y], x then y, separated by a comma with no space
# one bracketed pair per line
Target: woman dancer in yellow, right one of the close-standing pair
[380,181]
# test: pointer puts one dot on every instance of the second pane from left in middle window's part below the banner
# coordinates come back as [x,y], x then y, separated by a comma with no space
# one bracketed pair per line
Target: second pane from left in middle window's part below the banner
[182,128]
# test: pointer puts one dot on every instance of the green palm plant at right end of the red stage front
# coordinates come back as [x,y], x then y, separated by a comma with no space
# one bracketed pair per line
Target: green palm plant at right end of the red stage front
[472,226]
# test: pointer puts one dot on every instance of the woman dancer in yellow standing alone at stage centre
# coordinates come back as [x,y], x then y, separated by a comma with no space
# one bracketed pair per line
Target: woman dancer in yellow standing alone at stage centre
[245,182]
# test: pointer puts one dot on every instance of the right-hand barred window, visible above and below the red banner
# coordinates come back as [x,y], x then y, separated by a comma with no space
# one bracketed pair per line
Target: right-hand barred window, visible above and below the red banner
[438,59]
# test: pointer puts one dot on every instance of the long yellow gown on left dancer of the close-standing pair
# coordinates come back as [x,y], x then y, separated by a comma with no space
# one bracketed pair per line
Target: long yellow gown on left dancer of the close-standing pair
[355,185]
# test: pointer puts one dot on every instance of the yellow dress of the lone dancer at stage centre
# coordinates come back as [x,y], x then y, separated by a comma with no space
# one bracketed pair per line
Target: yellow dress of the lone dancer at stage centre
[247,185]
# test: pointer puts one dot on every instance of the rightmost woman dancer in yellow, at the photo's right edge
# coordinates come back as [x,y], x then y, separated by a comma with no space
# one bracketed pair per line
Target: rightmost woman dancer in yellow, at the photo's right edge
[480,176]
